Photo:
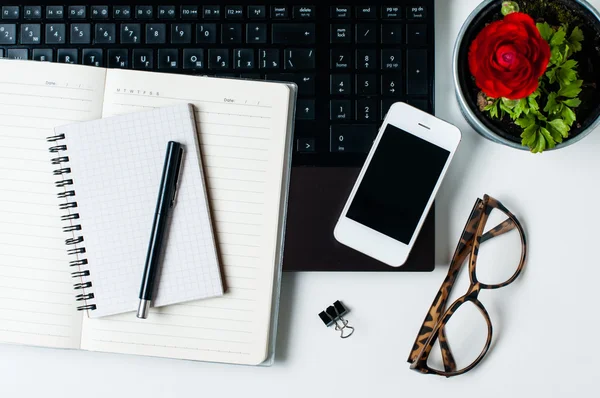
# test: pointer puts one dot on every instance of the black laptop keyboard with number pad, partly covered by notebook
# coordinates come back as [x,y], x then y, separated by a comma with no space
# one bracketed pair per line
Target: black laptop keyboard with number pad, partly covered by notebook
[350,62]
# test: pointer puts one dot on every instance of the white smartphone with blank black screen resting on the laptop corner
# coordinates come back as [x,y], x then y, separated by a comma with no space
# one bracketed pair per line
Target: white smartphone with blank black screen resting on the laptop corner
[397,184]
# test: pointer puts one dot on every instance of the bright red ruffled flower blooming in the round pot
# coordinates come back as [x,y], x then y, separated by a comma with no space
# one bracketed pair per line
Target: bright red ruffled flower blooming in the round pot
[508,57]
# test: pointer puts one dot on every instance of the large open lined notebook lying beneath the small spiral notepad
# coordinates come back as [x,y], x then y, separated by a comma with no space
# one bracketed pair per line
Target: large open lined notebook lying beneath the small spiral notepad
[245,131]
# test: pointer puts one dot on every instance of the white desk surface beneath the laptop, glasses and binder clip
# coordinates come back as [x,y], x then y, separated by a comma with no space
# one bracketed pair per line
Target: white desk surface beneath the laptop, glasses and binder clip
[544,323]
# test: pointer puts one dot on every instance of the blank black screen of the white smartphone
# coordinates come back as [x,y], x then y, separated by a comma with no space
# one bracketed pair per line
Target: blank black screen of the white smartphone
[397,184]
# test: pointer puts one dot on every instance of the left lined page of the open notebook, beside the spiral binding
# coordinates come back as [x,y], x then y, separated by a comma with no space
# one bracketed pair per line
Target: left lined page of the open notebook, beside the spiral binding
[37,304]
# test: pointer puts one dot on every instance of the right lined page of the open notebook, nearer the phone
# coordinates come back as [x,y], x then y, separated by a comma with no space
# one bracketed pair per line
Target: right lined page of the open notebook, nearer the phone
[242,127]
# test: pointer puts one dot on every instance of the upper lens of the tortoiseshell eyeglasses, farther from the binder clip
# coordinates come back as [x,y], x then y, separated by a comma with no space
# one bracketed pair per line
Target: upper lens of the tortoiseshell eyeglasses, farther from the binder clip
[500,251]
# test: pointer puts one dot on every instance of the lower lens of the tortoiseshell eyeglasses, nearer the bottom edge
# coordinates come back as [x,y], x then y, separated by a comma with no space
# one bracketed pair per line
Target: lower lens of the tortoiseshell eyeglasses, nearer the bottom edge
[466,335]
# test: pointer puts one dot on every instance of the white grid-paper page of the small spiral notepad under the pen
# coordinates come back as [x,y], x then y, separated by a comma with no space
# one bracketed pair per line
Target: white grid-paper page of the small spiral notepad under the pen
[117,165]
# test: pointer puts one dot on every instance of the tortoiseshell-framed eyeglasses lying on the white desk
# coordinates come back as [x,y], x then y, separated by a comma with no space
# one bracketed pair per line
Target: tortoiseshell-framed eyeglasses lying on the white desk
[434,327]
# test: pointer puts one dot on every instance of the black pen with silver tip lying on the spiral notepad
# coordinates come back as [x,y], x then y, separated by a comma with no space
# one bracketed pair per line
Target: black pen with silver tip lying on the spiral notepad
[166,198]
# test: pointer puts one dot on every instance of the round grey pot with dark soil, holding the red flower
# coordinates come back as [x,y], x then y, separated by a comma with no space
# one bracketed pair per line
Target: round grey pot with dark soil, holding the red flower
[500,131]
